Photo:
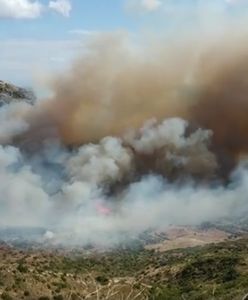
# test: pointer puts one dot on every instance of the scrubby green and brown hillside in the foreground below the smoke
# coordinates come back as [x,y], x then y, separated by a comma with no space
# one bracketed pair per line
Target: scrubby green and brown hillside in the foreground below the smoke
[214,271]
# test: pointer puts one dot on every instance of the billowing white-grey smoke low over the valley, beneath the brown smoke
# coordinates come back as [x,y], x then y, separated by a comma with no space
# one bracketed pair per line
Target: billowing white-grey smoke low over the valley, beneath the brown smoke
[67,191]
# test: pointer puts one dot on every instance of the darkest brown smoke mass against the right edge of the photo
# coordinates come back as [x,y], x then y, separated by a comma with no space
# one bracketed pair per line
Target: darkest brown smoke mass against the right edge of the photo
[222,106]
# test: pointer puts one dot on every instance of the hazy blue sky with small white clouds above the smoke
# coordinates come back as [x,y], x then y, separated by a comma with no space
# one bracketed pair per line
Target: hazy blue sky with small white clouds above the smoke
[42,36]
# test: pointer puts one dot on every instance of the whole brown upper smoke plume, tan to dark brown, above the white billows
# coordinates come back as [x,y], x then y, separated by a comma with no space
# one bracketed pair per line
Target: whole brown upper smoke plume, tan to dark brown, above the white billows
[116,87]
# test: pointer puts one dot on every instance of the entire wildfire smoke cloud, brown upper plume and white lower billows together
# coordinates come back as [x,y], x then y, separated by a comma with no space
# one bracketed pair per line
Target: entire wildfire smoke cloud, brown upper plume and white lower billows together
[136,136]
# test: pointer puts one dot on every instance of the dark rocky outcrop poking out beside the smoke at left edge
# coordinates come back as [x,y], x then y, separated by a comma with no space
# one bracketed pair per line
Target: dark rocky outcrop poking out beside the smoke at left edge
[10,93]
